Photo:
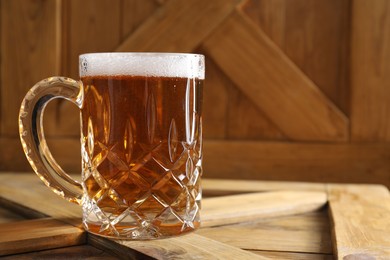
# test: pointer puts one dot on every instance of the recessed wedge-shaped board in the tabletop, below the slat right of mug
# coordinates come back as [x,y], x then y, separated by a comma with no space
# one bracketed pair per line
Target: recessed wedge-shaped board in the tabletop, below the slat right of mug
[307,233]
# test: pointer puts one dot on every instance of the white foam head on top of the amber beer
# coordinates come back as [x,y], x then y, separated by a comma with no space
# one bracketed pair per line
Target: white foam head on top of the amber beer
[142,64]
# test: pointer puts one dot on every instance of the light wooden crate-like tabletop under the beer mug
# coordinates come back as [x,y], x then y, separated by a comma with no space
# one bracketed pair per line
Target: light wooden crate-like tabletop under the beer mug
[240,220]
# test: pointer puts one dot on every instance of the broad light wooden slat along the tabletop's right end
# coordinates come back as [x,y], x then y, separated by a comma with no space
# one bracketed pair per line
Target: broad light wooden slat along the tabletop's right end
[360,215]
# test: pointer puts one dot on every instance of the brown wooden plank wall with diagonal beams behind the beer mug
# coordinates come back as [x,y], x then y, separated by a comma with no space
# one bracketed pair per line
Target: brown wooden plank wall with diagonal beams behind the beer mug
[295,89]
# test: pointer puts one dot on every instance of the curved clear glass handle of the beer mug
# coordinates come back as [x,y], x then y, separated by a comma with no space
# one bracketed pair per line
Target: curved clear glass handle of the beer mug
[33,138]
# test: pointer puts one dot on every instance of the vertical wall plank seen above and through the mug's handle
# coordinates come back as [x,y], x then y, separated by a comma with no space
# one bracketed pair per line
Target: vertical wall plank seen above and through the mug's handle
[86,25]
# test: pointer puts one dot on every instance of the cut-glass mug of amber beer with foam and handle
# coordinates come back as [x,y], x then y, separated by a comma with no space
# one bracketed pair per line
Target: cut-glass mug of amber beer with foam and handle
[141,142]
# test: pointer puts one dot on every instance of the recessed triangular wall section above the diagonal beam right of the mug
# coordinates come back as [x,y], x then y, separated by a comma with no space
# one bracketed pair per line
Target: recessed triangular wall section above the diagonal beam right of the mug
[316,42]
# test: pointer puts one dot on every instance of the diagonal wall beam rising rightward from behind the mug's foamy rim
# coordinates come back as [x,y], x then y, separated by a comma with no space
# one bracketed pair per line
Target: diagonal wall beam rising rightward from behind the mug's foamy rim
[178,28]
